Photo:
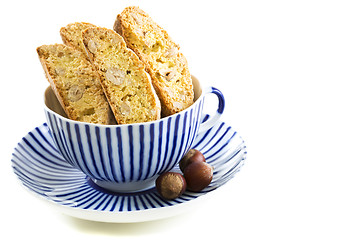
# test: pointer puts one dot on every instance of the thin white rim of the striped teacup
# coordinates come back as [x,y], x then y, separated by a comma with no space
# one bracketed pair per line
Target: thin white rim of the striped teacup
[126,124]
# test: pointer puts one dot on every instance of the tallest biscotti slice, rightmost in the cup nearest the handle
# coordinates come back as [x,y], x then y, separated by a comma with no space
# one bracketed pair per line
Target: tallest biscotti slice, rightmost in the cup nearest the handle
[167,67]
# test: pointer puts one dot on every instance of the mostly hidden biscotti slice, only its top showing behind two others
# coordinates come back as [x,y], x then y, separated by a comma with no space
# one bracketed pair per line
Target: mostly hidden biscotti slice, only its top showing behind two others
[71,35]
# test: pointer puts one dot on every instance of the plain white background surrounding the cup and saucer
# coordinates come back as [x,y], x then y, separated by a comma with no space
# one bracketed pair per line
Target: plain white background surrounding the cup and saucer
[289,71]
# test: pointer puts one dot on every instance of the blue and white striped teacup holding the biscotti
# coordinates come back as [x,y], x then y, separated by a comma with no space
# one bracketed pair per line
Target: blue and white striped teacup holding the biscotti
[129,157]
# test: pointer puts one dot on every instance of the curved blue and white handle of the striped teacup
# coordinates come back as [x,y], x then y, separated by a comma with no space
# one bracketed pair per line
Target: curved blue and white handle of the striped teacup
[221,105]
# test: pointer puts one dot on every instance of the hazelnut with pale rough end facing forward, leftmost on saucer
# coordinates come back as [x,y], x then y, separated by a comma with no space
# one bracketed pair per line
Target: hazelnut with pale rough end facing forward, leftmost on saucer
[170,185]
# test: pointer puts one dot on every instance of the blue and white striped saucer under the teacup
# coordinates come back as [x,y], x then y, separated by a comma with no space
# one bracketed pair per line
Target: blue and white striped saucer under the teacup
[44,172]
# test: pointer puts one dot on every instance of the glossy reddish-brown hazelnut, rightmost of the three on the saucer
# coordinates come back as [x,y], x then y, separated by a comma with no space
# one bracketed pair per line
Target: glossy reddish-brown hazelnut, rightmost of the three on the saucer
[198,175]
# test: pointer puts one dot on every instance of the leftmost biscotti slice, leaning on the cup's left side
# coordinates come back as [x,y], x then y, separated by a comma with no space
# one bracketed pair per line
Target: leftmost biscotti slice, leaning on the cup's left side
[75,83]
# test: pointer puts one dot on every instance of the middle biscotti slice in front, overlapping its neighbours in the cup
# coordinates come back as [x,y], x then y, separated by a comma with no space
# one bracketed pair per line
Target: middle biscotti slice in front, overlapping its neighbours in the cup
[123,77]
